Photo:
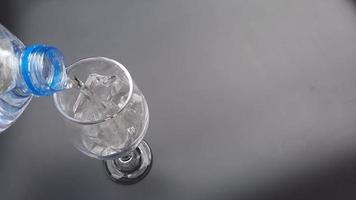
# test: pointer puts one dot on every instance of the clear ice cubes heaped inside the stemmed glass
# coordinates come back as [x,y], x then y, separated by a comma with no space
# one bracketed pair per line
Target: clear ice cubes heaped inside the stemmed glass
[99,97]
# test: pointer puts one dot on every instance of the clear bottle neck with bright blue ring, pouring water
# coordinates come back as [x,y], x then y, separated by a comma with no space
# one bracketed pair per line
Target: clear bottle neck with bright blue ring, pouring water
[42,69]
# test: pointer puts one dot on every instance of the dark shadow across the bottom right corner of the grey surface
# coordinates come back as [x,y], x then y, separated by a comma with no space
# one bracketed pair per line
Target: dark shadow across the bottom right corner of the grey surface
[336,181]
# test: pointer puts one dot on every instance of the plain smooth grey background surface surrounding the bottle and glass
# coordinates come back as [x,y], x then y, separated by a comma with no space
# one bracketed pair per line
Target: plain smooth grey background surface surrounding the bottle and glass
[248,99]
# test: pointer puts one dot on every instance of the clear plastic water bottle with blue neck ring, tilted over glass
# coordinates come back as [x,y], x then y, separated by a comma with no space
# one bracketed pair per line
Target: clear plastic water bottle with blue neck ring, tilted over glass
[36,70]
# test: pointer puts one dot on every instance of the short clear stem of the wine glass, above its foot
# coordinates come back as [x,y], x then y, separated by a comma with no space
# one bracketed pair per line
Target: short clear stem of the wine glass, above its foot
[129,162]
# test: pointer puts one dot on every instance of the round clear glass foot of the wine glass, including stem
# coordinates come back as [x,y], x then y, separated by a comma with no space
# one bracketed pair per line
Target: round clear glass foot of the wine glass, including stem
[132,168]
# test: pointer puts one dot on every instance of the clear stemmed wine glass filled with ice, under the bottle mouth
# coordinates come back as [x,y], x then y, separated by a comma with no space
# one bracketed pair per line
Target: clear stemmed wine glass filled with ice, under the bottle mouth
[108,115]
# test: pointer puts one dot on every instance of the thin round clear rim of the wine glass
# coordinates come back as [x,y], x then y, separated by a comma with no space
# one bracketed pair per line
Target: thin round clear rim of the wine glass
[130,93]
